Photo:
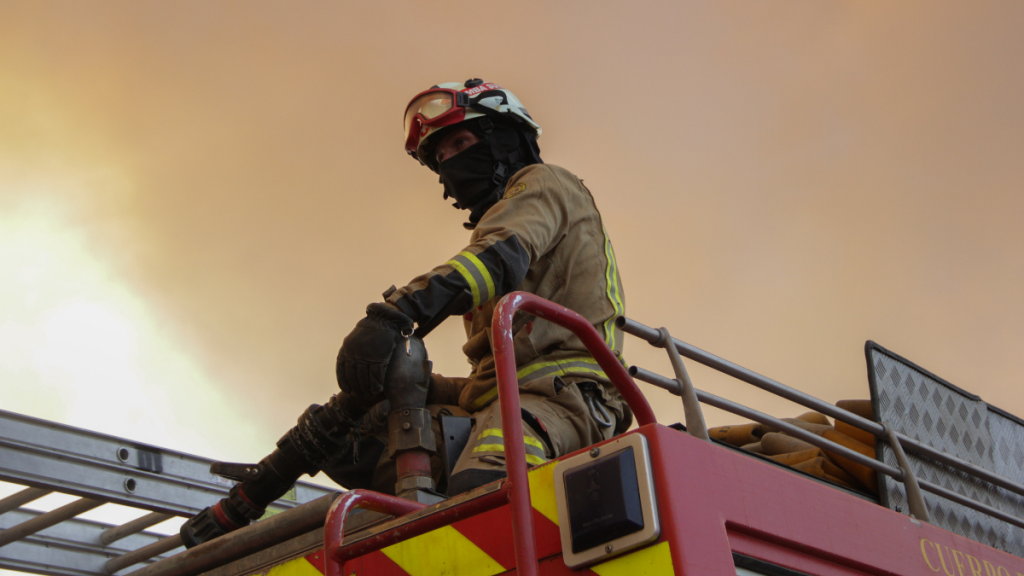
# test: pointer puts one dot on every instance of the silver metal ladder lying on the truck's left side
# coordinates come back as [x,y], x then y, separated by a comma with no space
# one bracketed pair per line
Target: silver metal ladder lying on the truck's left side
[49,458]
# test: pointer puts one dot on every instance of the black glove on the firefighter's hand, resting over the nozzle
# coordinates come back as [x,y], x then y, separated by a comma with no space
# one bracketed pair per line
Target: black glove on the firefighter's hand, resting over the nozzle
[364,356]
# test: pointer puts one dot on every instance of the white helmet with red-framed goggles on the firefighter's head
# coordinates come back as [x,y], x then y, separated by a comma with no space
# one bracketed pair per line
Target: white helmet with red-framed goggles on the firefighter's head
[452,103]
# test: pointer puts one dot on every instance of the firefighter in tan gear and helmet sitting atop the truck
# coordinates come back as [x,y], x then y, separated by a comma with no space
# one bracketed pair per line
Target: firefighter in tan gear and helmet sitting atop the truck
[535,228]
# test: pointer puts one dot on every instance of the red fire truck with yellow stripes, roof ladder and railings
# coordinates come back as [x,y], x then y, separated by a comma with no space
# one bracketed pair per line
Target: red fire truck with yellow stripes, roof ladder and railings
[656,501]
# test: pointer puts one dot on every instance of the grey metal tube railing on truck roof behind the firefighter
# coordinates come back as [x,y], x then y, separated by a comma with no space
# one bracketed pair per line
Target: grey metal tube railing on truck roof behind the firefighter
[900,442]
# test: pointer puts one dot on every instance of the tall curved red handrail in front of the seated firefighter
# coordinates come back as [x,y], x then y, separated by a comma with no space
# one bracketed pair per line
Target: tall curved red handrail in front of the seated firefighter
[508,396]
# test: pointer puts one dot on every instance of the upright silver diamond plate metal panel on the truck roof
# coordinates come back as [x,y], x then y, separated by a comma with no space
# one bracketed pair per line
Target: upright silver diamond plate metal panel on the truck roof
[927,408]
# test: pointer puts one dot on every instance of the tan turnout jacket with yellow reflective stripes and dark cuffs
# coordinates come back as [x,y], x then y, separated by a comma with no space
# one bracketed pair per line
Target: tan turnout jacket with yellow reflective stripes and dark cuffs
[545,237]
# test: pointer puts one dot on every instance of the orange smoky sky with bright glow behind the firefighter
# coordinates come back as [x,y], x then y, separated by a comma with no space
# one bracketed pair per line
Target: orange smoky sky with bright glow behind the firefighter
[199,199]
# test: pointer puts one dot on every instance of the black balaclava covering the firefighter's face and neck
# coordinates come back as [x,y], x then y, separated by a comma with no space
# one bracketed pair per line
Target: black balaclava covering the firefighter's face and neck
[477,177]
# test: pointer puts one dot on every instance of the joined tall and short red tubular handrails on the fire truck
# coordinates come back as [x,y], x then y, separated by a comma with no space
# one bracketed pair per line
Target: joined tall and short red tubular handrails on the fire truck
[517,488]
